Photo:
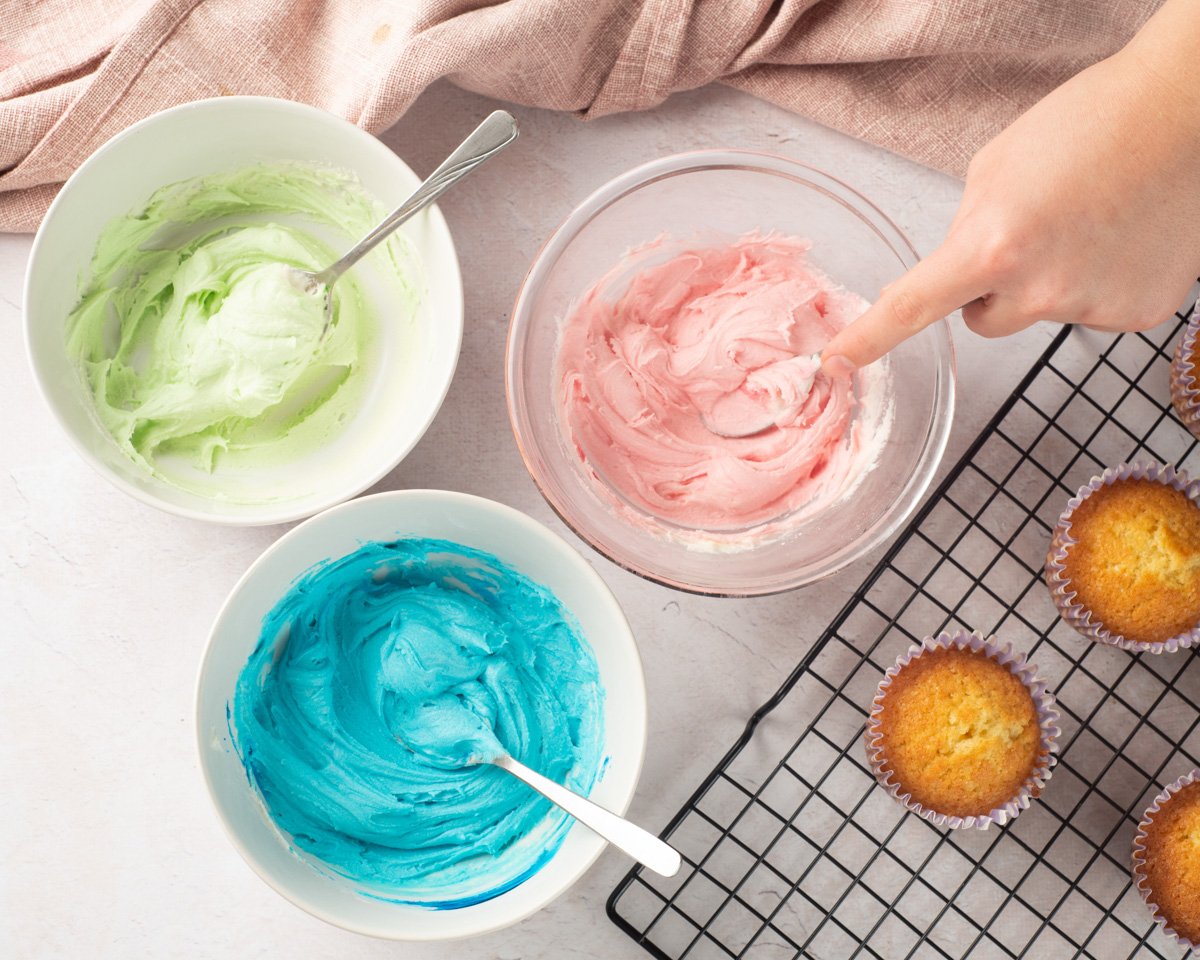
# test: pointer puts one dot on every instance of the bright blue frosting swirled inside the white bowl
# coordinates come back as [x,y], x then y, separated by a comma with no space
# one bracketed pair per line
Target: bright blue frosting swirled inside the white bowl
[377,677]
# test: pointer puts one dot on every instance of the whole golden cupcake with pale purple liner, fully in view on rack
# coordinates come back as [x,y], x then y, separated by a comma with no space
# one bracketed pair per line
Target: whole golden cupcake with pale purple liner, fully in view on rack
[962,731]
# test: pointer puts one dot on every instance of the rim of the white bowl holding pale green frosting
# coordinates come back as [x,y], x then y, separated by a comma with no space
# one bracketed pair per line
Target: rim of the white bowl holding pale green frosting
[263,514]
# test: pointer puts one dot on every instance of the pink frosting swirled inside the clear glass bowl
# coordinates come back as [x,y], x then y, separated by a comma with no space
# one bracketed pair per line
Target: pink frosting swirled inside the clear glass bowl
[712,341]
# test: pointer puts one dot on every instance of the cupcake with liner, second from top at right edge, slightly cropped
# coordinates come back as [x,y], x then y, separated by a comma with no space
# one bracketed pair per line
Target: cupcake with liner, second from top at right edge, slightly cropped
[1124,566]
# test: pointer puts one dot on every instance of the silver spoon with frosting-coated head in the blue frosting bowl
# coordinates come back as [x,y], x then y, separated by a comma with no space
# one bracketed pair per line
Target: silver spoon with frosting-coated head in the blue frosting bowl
[452,736]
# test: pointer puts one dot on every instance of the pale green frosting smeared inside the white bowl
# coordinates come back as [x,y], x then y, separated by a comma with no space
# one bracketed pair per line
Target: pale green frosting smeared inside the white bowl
[200,351]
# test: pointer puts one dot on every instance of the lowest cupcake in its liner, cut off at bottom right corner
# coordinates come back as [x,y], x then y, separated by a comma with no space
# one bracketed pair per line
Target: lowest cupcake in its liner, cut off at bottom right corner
[1167,860]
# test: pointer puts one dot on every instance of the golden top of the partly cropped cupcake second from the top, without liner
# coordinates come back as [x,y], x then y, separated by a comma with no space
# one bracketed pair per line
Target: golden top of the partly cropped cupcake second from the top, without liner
[1137,565]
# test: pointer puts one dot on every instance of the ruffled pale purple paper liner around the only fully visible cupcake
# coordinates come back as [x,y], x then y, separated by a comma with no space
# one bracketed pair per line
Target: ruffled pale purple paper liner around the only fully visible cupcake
[1048,722]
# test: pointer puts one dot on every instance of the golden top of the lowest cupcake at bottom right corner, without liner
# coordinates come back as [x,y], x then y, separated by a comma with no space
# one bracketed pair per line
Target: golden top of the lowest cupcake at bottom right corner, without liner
[1173,862]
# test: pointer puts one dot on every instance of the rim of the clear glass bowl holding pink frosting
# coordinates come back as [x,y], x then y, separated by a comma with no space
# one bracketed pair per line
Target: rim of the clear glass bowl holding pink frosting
[761,163]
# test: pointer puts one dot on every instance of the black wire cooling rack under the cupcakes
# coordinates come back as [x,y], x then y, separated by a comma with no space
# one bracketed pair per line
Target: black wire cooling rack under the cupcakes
[791,850]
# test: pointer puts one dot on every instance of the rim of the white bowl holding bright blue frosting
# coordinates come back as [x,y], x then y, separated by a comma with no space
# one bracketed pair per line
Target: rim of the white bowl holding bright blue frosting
[635,685]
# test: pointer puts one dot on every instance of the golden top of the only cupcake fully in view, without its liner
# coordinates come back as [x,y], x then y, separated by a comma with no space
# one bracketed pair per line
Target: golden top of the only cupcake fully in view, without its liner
[959,731]
